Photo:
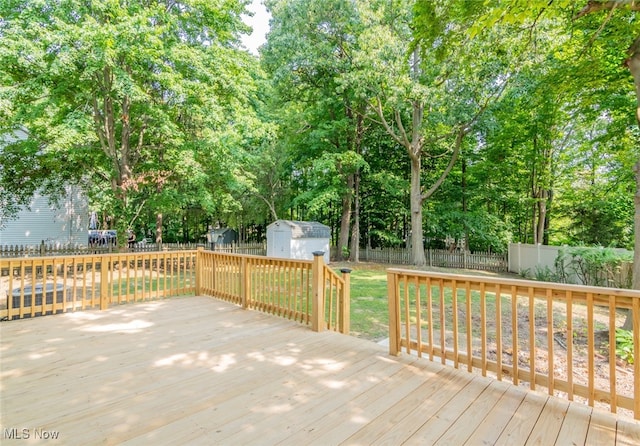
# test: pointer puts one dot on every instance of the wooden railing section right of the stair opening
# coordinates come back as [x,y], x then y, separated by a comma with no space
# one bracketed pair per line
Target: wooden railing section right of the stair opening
[559,334]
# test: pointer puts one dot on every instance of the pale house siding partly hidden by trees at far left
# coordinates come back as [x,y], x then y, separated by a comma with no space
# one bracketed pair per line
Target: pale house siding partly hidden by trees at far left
[63,224]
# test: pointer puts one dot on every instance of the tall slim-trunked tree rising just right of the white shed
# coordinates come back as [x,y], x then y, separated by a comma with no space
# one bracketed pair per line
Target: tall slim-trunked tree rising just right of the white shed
[309,48]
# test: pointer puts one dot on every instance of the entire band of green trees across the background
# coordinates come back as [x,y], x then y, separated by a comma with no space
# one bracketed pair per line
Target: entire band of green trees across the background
[396,123]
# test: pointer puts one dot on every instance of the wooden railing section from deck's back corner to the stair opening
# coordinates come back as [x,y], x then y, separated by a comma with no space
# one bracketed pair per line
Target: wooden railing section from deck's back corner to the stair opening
[303,290]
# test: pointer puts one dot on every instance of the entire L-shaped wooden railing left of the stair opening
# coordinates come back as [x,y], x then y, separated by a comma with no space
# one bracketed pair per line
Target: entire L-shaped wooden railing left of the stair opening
[303,290]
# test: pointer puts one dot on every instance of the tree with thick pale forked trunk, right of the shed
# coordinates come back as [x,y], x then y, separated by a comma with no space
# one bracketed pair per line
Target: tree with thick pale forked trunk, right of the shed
[427,86]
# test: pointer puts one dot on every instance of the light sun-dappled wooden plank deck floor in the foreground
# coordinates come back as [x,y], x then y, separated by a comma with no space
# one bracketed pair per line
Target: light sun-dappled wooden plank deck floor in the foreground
[200,371]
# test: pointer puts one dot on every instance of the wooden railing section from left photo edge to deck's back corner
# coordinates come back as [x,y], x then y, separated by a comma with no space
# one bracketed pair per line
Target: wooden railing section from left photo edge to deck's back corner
[38,286]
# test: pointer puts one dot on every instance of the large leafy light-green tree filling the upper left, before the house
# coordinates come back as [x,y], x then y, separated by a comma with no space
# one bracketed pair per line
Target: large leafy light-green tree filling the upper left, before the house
[121,94]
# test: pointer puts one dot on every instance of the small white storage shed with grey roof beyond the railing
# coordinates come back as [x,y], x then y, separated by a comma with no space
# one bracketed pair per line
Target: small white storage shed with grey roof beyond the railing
[291,239]
